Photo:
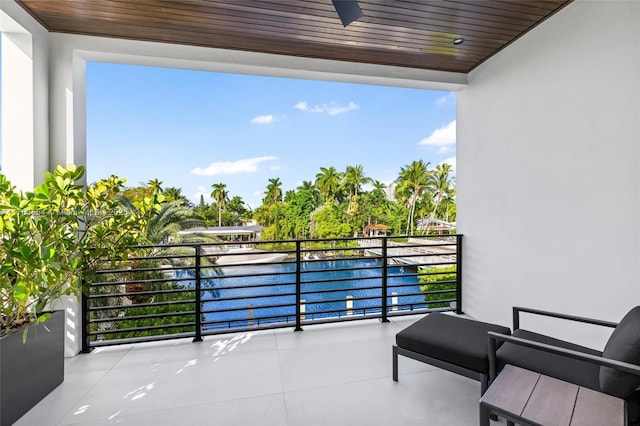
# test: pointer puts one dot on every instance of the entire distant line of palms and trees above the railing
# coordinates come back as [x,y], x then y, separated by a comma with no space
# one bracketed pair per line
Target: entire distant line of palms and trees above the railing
[334,204]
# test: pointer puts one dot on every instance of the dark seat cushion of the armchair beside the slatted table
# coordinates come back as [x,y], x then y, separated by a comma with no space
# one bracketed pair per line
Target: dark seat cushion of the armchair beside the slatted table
[558,366]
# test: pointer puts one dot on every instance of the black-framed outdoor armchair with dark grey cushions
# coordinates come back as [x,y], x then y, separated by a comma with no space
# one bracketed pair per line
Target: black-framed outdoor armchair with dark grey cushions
[614,371]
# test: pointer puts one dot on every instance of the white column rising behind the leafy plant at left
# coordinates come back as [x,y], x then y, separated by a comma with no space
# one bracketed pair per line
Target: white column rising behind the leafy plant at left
[40,107]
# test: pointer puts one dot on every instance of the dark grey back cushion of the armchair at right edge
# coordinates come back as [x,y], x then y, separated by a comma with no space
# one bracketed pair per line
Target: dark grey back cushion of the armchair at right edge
[623,345]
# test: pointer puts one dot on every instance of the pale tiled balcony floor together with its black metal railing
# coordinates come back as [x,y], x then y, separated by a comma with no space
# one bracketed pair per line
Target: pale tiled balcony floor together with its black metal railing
[228,348]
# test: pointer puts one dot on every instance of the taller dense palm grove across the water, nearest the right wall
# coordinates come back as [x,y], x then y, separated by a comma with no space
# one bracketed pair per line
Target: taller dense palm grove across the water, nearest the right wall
[338,204]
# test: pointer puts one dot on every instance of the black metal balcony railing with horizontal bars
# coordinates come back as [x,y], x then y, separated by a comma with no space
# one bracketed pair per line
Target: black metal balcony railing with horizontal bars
[193,290]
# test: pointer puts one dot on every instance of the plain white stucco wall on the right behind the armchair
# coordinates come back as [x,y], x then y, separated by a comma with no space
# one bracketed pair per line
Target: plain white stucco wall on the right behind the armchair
[548,145]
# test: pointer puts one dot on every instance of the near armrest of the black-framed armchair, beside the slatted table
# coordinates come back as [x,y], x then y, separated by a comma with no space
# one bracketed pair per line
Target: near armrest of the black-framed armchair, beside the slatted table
[607,362]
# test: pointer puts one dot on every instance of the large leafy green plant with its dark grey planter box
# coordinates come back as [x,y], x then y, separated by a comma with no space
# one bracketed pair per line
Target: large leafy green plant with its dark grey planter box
[51,240]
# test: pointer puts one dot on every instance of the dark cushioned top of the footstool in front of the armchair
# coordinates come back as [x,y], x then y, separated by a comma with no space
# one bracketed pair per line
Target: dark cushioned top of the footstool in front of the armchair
[452,339]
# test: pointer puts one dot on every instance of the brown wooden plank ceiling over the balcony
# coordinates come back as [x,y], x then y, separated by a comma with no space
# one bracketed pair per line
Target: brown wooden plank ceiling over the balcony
[405,33]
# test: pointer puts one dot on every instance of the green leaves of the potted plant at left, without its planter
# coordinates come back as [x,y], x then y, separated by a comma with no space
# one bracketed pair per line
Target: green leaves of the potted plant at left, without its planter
[52,239]
